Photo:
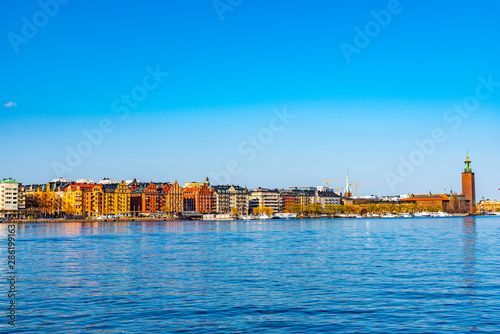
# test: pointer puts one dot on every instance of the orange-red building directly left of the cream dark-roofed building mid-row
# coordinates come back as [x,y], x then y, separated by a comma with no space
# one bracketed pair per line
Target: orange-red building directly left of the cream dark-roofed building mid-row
[197,196]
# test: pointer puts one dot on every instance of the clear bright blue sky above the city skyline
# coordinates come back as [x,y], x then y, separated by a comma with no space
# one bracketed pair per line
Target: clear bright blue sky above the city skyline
[356,84]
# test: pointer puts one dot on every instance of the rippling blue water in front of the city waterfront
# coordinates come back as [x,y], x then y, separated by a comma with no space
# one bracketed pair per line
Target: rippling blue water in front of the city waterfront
[306,276]
